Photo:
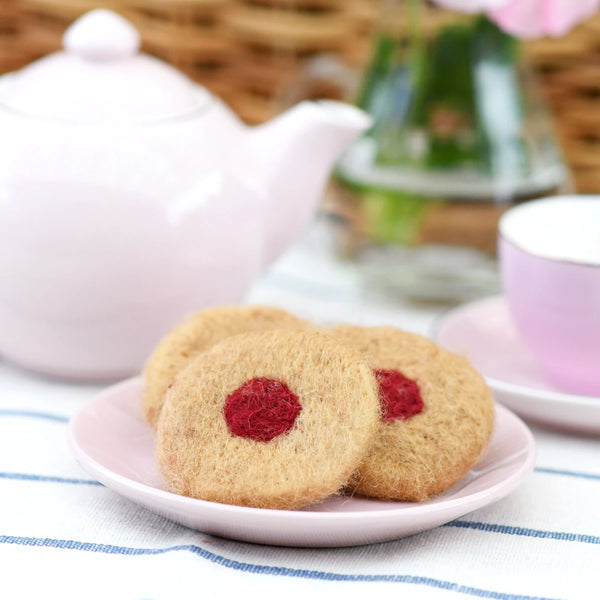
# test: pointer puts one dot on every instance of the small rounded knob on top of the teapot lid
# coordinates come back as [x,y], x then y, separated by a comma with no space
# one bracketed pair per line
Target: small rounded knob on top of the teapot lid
[102,35]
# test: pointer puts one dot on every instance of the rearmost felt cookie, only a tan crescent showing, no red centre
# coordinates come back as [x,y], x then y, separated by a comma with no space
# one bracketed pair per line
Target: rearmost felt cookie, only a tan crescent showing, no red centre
[198,333]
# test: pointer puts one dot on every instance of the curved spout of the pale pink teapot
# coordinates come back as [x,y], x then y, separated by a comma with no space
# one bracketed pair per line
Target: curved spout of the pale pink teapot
[293,156]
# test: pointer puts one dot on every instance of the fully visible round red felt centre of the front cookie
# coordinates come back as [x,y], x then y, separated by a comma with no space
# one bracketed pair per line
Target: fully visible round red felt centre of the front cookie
[261,409]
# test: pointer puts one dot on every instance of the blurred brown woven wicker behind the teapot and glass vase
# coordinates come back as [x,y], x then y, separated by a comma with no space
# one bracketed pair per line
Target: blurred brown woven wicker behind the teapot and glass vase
[248,51]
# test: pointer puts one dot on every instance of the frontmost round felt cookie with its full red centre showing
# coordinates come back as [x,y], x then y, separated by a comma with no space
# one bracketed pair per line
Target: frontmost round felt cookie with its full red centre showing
[276,419]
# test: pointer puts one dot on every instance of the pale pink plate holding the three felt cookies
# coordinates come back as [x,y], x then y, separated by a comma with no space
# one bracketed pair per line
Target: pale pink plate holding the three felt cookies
[111,441]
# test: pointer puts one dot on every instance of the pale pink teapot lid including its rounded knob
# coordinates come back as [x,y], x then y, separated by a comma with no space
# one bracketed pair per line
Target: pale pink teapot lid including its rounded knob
[101,75]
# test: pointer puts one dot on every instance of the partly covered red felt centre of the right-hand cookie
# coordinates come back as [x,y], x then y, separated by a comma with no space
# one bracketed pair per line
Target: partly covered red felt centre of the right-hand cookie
[399,396]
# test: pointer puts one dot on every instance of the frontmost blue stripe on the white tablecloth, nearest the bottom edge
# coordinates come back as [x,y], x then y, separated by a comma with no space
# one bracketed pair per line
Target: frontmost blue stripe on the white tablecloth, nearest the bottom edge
[264,569]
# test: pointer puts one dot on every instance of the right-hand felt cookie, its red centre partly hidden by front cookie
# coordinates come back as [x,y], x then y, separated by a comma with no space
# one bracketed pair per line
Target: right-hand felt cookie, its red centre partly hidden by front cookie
[437,414]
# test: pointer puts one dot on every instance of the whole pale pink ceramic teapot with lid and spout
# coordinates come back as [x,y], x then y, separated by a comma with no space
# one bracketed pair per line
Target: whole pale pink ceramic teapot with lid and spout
[130,197]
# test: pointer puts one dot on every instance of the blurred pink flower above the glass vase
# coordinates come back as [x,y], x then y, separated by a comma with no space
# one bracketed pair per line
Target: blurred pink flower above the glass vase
[529,18]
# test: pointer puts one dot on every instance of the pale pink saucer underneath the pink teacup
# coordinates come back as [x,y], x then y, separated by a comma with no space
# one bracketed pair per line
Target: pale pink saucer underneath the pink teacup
[483,331]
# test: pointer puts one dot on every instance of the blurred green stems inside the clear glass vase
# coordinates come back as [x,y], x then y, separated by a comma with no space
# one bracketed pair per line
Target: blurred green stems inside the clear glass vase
[453,102]
